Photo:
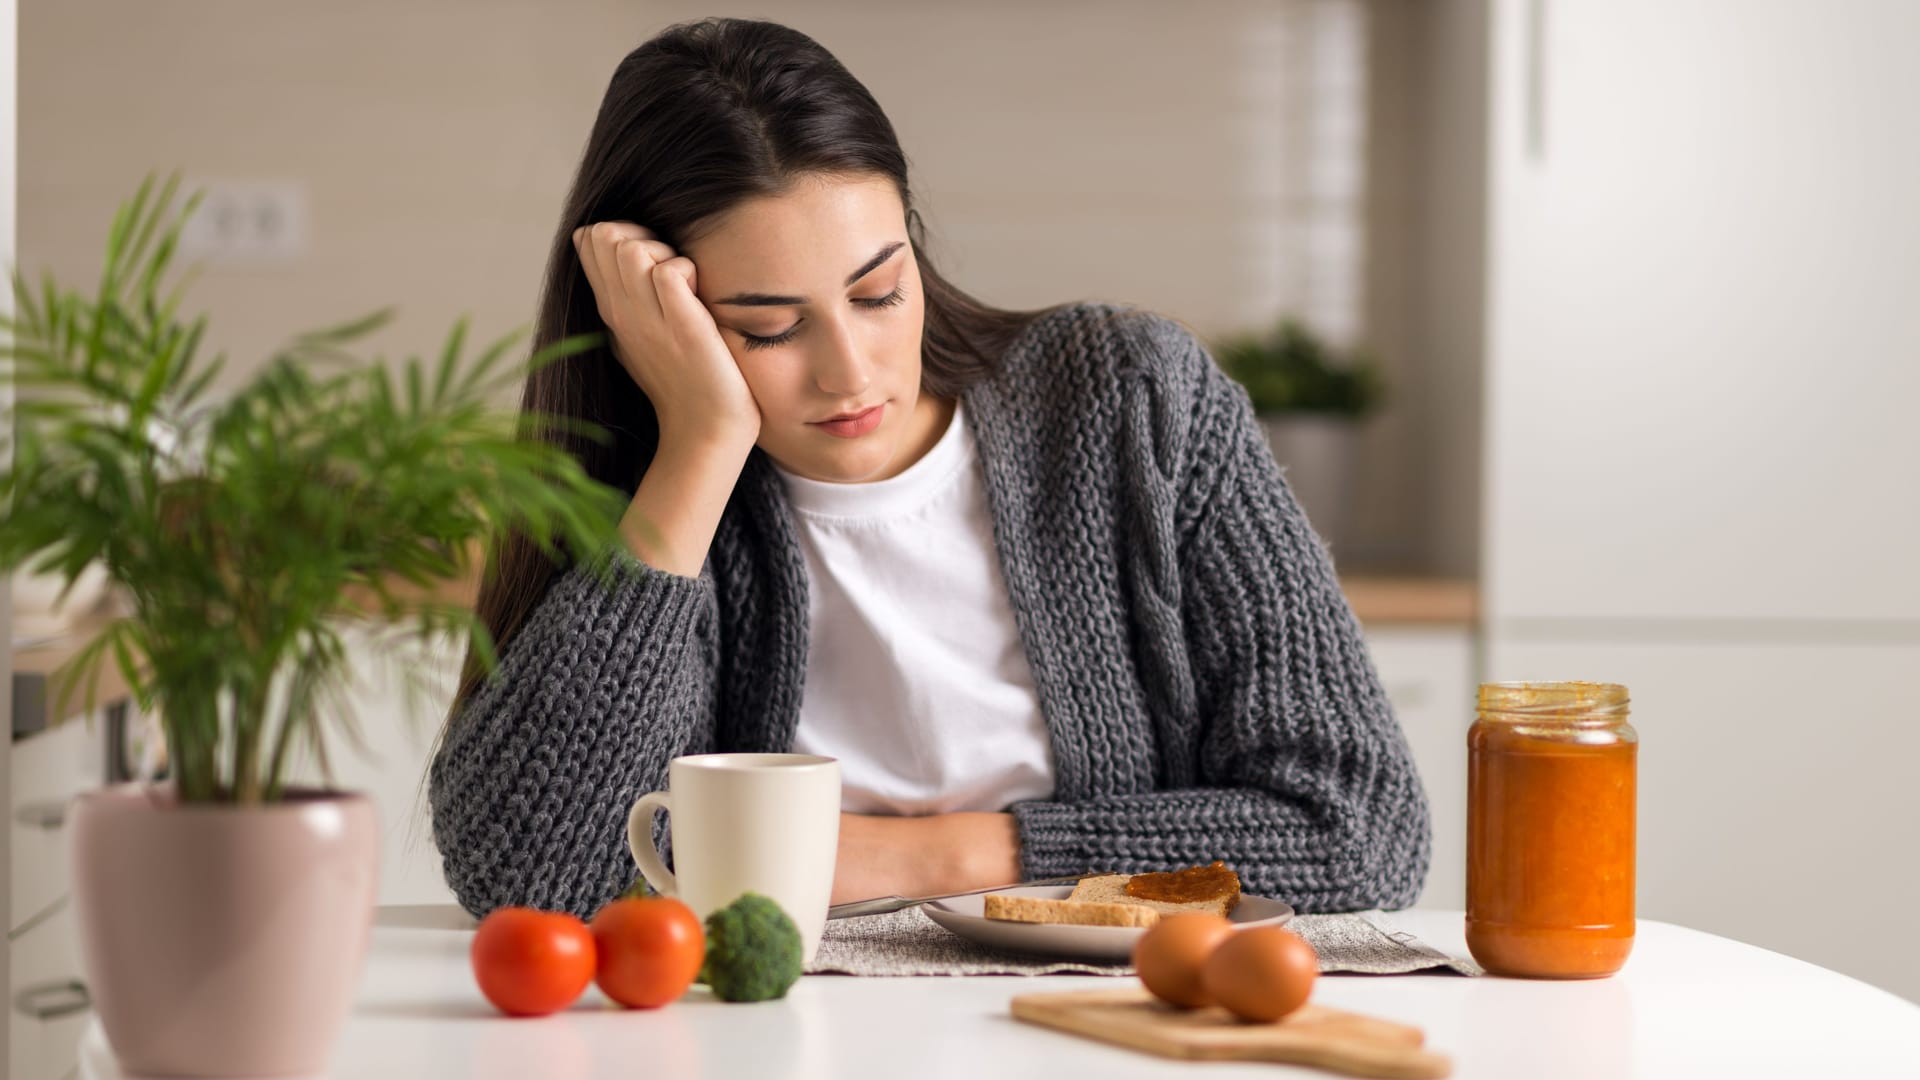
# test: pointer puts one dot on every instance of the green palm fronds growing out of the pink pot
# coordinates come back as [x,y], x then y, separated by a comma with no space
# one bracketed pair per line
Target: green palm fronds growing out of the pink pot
[243,526]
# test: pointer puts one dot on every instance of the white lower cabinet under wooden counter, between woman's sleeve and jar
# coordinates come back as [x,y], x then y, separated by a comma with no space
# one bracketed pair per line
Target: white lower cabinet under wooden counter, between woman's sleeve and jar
[1429,677]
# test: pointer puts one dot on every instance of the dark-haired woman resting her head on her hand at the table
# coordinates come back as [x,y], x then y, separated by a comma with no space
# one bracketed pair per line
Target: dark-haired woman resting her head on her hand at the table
[1034,577]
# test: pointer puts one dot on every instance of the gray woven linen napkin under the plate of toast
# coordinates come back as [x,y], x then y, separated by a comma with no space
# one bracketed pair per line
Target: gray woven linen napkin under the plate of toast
[907,943]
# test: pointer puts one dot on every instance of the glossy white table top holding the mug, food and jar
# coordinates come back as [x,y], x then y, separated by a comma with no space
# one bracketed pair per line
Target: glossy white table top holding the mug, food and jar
[1687,1006]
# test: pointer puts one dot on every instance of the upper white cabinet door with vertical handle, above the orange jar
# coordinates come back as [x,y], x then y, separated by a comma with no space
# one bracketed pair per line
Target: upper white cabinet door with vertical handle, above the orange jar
[1704,337]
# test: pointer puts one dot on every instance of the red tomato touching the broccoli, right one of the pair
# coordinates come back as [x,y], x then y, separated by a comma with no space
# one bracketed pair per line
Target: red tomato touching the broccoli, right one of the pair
[650,950]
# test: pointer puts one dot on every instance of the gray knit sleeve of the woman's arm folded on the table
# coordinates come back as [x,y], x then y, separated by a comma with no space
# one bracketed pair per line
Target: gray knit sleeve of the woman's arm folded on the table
[1307,785]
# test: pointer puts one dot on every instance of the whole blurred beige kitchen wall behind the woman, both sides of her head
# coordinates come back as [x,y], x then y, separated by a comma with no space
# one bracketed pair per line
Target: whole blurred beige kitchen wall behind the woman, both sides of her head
[1120,151]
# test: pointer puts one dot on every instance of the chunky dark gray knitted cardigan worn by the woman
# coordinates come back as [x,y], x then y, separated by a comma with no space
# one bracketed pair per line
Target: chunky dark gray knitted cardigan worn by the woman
[1199,668]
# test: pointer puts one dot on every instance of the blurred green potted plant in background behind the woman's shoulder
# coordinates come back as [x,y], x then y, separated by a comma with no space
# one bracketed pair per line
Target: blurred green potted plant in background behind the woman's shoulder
[1310,401]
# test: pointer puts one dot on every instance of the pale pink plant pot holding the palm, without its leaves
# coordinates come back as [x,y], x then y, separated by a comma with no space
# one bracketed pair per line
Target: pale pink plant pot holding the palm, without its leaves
[224,941]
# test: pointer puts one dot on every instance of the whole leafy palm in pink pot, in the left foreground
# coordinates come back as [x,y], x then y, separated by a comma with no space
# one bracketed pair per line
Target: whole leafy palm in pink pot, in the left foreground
[224,914]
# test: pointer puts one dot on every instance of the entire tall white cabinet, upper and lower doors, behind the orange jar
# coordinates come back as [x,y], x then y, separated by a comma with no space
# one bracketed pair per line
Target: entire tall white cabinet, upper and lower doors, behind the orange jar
[1702,468]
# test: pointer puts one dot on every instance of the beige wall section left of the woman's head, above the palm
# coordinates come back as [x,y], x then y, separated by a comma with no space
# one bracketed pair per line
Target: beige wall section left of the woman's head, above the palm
[435,141]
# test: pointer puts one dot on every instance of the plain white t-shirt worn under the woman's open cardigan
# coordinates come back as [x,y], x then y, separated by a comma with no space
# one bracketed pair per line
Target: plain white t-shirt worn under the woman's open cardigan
[917,679]
